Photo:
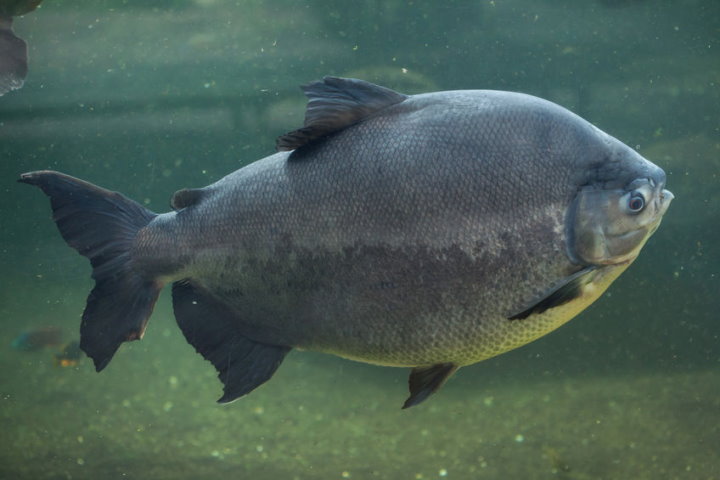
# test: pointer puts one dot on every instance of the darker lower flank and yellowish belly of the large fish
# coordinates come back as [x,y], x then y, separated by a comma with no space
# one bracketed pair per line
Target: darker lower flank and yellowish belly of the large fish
[391,306]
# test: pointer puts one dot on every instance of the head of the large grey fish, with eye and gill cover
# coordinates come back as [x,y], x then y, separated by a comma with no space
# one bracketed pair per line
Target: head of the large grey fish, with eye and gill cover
[618,209]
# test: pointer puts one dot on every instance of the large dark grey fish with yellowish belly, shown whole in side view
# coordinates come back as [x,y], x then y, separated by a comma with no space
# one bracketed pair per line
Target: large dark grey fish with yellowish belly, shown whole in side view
[428,231]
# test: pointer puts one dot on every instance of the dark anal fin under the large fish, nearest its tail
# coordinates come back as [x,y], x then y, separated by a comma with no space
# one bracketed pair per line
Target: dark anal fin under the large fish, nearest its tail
[212,328]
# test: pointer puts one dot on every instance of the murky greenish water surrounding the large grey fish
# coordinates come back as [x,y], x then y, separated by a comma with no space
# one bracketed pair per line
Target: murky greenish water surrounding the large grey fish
[149,97]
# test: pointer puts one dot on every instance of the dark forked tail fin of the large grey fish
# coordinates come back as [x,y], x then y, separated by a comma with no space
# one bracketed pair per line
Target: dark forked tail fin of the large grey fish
[102,225]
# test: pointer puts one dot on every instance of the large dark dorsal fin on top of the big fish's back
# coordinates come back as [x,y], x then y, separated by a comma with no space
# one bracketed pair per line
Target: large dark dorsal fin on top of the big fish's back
[335,103]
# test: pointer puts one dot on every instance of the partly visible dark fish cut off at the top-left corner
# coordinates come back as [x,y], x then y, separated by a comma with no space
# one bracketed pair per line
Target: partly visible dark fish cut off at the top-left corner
[13,49]
